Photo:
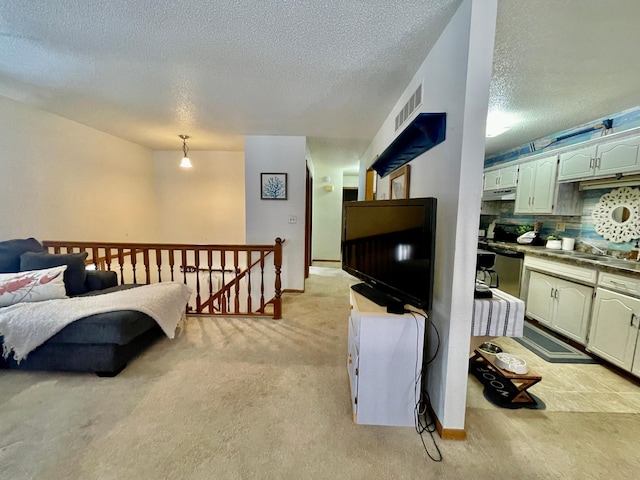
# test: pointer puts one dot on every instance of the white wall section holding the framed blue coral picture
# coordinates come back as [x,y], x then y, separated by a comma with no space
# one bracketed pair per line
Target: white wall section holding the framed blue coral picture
[268,219]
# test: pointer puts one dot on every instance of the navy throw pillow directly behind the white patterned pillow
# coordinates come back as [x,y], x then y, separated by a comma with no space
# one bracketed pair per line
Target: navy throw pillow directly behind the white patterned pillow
[75,275]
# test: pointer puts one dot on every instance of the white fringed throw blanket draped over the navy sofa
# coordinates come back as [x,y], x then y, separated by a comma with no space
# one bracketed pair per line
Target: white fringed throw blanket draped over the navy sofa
[26,326]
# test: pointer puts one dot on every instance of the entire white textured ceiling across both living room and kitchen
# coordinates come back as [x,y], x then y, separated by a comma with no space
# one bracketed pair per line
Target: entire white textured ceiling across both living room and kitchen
[331,70]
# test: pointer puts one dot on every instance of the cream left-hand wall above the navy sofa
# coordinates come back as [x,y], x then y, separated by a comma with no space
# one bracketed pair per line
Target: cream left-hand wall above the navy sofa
[60,180]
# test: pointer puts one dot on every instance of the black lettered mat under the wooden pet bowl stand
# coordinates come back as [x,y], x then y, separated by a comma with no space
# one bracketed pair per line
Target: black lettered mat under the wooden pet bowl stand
[499,391]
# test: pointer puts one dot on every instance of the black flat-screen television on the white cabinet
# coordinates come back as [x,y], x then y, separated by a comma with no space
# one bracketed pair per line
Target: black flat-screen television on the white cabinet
[390,246]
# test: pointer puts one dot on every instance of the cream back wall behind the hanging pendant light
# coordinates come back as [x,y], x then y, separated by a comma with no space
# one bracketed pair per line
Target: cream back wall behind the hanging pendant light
[203,204]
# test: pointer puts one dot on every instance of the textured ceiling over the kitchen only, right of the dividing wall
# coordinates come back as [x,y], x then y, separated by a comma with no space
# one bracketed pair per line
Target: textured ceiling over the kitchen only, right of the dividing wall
[562,63]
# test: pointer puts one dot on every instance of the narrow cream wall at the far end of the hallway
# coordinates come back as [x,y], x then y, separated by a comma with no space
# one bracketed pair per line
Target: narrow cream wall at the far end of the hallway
[327,213]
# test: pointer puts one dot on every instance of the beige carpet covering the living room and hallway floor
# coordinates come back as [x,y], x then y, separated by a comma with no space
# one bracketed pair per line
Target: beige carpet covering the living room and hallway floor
[258,398]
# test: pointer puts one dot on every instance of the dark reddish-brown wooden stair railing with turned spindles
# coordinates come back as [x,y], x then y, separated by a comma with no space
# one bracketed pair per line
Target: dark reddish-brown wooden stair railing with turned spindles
[234,268]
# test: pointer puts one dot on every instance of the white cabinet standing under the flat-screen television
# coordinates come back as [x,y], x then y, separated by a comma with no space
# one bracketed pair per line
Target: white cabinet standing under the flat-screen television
[384,360]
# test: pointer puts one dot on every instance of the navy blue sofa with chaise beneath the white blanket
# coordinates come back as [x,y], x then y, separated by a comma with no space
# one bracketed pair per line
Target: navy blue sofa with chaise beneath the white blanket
[102,343]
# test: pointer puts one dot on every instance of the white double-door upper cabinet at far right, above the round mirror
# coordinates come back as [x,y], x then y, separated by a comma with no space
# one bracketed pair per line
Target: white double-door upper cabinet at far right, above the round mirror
[603,159]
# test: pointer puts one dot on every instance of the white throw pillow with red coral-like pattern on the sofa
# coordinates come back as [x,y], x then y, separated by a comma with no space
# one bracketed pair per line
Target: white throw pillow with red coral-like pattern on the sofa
[33,286]
